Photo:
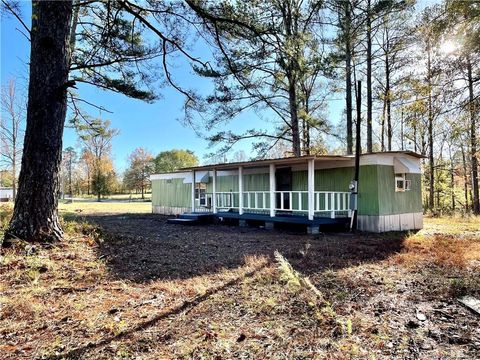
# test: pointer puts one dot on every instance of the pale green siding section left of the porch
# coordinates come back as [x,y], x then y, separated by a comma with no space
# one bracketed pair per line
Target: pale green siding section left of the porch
[171,193]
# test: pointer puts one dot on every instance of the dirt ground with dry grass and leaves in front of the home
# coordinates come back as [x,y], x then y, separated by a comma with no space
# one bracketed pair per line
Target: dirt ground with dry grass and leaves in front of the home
[141,288]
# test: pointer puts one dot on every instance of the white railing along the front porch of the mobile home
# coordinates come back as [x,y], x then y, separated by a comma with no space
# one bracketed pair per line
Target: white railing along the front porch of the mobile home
[324,201]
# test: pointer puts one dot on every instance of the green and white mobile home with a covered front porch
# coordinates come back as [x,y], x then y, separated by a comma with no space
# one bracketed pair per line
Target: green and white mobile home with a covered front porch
[313,190]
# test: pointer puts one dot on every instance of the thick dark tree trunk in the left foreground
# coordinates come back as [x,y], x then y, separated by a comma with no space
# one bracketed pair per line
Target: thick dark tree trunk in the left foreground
[35,215]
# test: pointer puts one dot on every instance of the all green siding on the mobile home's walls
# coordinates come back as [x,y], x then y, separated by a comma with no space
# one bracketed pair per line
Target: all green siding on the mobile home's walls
[377,194]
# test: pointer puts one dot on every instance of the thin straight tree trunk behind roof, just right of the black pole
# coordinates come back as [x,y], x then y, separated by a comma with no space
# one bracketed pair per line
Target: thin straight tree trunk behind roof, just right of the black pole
[348,78]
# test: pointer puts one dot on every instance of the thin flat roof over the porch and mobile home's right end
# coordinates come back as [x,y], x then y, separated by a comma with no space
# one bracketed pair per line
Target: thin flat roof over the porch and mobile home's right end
[291,161]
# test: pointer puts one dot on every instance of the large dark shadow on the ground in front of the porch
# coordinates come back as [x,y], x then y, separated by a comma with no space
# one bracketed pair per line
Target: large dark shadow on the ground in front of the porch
[145,247]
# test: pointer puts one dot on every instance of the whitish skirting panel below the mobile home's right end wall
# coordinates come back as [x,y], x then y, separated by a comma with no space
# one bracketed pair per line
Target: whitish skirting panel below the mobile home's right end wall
[397,222]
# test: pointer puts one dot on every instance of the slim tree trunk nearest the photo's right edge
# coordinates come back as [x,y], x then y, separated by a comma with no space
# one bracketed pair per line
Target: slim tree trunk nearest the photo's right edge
[473,140]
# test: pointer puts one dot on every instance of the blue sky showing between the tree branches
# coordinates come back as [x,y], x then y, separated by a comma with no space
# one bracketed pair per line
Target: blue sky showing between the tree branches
[152,126]
